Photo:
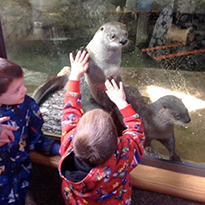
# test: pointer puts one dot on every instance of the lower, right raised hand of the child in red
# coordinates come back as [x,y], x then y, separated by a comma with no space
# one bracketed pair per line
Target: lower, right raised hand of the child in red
[116,94]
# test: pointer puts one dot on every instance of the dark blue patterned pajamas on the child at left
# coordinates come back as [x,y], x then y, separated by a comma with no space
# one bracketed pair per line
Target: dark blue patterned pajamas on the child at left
[15,165]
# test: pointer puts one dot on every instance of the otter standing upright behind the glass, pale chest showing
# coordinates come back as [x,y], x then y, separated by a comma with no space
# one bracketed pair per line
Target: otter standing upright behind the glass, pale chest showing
[105,50]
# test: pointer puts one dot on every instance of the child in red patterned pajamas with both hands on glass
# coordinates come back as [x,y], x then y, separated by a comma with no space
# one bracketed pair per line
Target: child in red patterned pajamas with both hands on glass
[96,164]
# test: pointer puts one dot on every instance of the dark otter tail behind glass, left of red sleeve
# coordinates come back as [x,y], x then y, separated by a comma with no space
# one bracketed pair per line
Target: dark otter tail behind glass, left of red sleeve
[48,88]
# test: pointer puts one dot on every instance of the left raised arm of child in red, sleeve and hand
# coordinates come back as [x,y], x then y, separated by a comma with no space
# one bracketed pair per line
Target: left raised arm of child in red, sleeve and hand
[72,109]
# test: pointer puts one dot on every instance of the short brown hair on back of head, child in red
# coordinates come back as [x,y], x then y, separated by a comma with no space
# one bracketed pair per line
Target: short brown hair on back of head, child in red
[95,137]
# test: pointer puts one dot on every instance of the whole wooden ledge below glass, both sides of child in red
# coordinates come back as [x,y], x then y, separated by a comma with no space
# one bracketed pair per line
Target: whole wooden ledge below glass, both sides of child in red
[178,184]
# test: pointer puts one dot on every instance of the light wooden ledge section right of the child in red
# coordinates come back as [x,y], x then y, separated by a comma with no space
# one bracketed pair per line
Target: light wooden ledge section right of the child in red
[169,182]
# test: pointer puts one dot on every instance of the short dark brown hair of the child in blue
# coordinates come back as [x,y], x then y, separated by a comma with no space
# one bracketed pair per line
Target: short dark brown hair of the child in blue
[8,72]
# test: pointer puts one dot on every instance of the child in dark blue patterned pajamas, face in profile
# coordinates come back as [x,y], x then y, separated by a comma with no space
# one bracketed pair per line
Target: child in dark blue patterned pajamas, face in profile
[20,132]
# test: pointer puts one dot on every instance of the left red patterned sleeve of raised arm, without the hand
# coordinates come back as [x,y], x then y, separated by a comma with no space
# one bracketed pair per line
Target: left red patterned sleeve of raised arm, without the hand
[72,112]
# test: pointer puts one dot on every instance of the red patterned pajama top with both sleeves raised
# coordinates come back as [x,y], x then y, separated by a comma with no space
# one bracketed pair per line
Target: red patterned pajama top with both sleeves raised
[110,182]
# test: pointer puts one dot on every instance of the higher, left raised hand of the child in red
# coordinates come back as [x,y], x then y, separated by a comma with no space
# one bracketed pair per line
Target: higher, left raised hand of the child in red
[79,65]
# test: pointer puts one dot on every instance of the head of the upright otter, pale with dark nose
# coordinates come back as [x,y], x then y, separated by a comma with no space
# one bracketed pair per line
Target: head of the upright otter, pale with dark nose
[114,34]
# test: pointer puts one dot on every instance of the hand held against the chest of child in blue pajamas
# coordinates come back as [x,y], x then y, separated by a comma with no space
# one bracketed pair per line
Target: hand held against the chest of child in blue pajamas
[6,134]
